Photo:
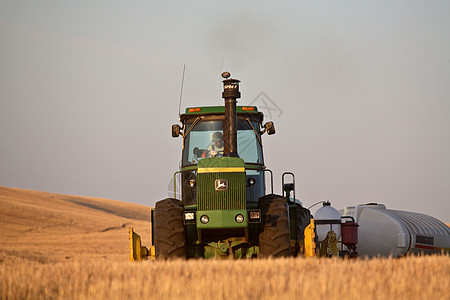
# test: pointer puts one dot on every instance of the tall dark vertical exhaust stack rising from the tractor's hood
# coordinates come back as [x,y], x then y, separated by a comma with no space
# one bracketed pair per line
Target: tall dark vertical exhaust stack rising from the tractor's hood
[230,95]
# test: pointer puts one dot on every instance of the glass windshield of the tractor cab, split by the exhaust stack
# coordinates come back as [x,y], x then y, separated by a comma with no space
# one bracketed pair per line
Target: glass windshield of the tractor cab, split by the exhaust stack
[206,140]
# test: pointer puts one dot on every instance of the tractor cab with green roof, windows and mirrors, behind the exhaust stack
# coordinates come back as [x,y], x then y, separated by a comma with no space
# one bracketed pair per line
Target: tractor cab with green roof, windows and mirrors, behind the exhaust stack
[204,138]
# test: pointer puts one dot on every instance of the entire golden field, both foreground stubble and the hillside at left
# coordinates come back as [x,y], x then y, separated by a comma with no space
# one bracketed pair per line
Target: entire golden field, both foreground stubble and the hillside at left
[70,247]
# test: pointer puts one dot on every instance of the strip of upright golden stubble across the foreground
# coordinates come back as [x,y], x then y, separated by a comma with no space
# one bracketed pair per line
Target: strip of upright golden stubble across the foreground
[408,278]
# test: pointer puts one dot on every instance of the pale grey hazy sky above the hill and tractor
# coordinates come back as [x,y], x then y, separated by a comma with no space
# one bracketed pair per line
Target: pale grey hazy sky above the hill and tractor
[359,92]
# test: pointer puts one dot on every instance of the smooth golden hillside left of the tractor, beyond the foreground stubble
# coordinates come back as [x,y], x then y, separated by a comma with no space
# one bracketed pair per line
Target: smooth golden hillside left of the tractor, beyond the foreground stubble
[47,227]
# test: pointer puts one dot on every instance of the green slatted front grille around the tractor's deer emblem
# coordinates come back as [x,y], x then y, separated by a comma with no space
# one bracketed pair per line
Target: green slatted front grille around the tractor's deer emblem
[210,199]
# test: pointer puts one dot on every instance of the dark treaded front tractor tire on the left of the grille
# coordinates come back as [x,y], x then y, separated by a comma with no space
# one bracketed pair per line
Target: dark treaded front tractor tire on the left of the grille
[170,236]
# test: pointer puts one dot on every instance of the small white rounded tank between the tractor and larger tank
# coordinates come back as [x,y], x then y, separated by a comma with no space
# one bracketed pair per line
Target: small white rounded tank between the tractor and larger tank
[327,218]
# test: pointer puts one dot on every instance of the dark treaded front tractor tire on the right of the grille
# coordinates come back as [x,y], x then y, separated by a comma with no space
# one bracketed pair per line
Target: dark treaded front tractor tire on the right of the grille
[274,237]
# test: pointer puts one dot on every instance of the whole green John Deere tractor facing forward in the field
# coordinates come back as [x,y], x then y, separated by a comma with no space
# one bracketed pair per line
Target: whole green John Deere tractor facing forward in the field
[225,211]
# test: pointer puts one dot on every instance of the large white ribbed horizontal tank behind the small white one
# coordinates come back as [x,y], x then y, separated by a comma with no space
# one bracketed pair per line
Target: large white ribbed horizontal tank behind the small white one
[395,233]
